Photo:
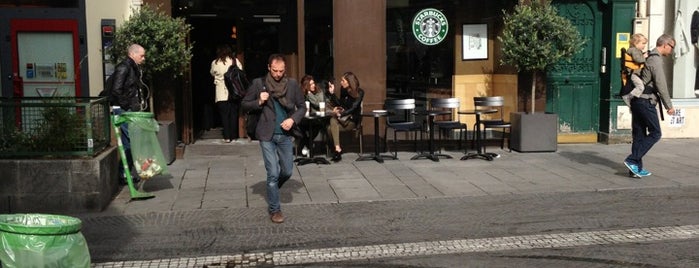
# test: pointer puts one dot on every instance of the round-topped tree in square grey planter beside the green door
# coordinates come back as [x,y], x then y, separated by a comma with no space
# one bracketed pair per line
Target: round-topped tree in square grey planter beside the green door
[533,39]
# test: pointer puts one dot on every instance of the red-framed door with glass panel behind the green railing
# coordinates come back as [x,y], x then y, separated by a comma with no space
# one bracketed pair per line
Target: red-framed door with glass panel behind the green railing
[45,57]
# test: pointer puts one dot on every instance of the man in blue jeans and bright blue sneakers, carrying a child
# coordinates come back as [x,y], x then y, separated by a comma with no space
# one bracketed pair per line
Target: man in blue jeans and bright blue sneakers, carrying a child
[645,124]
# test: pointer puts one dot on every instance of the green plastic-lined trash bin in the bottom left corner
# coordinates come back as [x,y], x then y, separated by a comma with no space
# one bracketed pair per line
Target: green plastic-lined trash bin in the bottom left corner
[42,240]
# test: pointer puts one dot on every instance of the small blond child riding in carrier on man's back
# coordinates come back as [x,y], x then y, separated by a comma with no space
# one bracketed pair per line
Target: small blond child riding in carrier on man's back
[634,61]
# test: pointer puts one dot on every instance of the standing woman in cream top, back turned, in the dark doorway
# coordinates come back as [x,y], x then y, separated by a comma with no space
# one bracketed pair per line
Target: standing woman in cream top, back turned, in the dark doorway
[229,109]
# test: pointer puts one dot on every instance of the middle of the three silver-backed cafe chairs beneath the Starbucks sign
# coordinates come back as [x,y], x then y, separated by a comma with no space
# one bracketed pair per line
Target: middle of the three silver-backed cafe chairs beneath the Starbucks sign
[448,123]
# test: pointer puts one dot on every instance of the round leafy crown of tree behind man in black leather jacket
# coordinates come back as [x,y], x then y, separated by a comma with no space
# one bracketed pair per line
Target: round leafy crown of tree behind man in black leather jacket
[163,37]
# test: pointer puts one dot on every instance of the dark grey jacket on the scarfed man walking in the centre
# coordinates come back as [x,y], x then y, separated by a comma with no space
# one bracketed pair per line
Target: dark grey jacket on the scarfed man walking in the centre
[265,126]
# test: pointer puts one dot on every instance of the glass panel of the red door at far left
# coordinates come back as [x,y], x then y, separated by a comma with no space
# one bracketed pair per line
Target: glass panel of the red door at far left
[46,64]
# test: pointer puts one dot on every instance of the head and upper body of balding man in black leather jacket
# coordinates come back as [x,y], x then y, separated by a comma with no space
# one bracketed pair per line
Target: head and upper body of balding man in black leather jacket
[126,88]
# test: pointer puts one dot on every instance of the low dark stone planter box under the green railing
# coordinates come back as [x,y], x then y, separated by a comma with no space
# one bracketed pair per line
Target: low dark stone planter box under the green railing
[58,185]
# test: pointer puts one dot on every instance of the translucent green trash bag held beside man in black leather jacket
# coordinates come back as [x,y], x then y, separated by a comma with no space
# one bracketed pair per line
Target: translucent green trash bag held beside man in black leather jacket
[145,148]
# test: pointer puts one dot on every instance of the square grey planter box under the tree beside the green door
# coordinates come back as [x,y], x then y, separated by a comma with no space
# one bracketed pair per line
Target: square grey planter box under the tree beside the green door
[537,132]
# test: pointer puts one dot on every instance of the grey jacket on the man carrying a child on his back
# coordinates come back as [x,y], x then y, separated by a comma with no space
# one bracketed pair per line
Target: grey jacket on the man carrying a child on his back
[655,72]
